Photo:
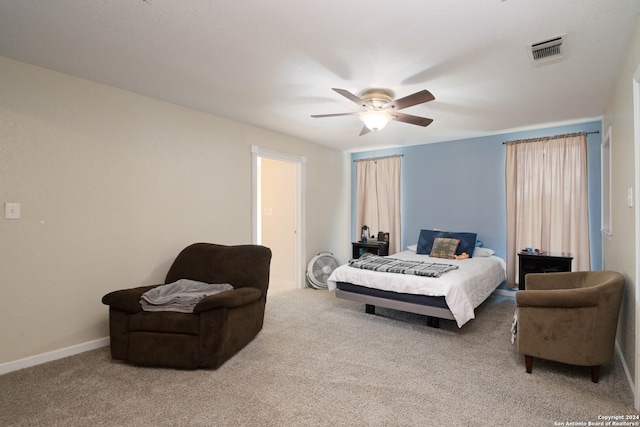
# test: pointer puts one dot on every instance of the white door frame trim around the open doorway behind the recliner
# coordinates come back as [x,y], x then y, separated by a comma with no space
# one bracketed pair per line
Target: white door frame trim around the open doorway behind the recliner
[300,162]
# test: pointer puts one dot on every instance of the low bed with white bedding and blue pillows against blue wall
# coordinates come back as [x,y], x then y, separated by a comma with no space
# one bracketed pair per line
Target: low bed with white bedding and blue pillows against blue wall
[453,295]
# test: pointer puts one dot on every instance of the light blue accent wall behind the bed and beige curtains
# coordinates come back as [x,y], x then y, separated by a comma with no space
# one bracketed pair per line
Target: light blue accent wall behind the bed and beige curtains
[460,186]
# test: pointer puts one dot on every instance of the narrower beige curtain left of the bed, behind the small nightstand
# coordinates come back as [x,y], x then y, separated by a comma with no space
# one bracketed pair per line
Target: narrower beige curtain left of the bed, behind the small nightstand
[378,198]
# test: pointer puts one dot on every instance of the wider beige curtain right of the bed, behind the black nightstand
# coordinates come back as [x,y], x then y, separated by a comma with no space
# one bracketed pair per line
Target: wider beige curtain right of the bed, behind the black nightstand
[547,206]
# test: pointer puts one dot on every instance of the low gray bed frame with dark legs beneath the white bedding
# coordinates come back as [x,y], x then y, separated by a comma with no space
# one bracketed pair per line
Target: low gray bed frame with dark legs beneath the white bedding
[435,308]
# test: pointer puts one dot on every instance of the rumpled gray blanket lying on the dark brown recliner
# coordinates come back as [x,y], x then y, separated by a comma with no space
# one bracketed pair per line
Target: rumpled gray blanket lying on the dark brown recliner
[181,296]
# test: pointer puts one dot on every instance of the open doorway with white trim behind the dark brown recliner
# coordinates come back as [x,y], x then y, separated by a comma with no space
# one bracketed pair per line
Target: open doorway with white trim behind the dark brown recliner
[277,215]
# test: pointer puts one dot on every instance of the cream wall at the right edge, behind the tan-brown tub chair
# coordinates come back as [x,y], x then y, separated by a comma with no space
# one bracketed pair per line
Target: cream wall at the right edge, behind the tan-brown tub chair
[619,253]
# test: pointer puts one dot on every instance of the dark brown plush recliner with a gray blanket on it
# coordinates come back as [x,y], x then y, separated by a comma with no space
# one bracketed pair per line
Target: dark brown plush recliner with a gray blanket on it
[220,325]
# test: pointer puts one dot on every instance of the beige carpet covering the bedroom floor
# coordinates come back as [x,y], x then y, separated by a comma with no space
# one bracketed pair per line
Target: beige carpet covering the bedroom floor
[320,361]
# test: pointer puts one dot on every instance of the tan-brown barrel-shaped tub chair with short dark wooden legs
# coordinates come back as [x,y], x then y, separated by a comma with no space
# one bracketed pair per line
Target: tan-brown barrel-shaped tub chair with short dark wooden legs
[569,317]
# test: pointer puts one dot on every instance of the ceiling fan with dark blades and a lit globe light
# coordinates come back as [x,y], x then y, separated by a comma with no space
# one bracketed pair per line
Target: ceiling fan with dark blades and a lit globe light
[381,108]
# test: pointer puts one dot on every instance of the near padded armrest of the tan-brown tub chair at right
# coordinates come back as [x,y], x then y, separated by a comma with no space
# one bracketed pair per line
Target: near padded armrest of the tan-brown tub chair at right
[567,298]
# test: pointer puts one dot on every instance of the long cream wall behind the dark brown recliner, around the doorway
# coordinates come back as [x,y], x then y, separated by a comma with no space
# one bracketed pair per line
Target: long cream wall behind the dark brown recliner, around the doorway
[112,185]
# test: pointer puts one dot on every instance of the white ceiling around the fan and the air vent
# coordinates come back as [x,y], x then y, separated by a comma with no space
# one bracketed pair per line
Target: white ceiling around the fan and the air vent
[273,63]
